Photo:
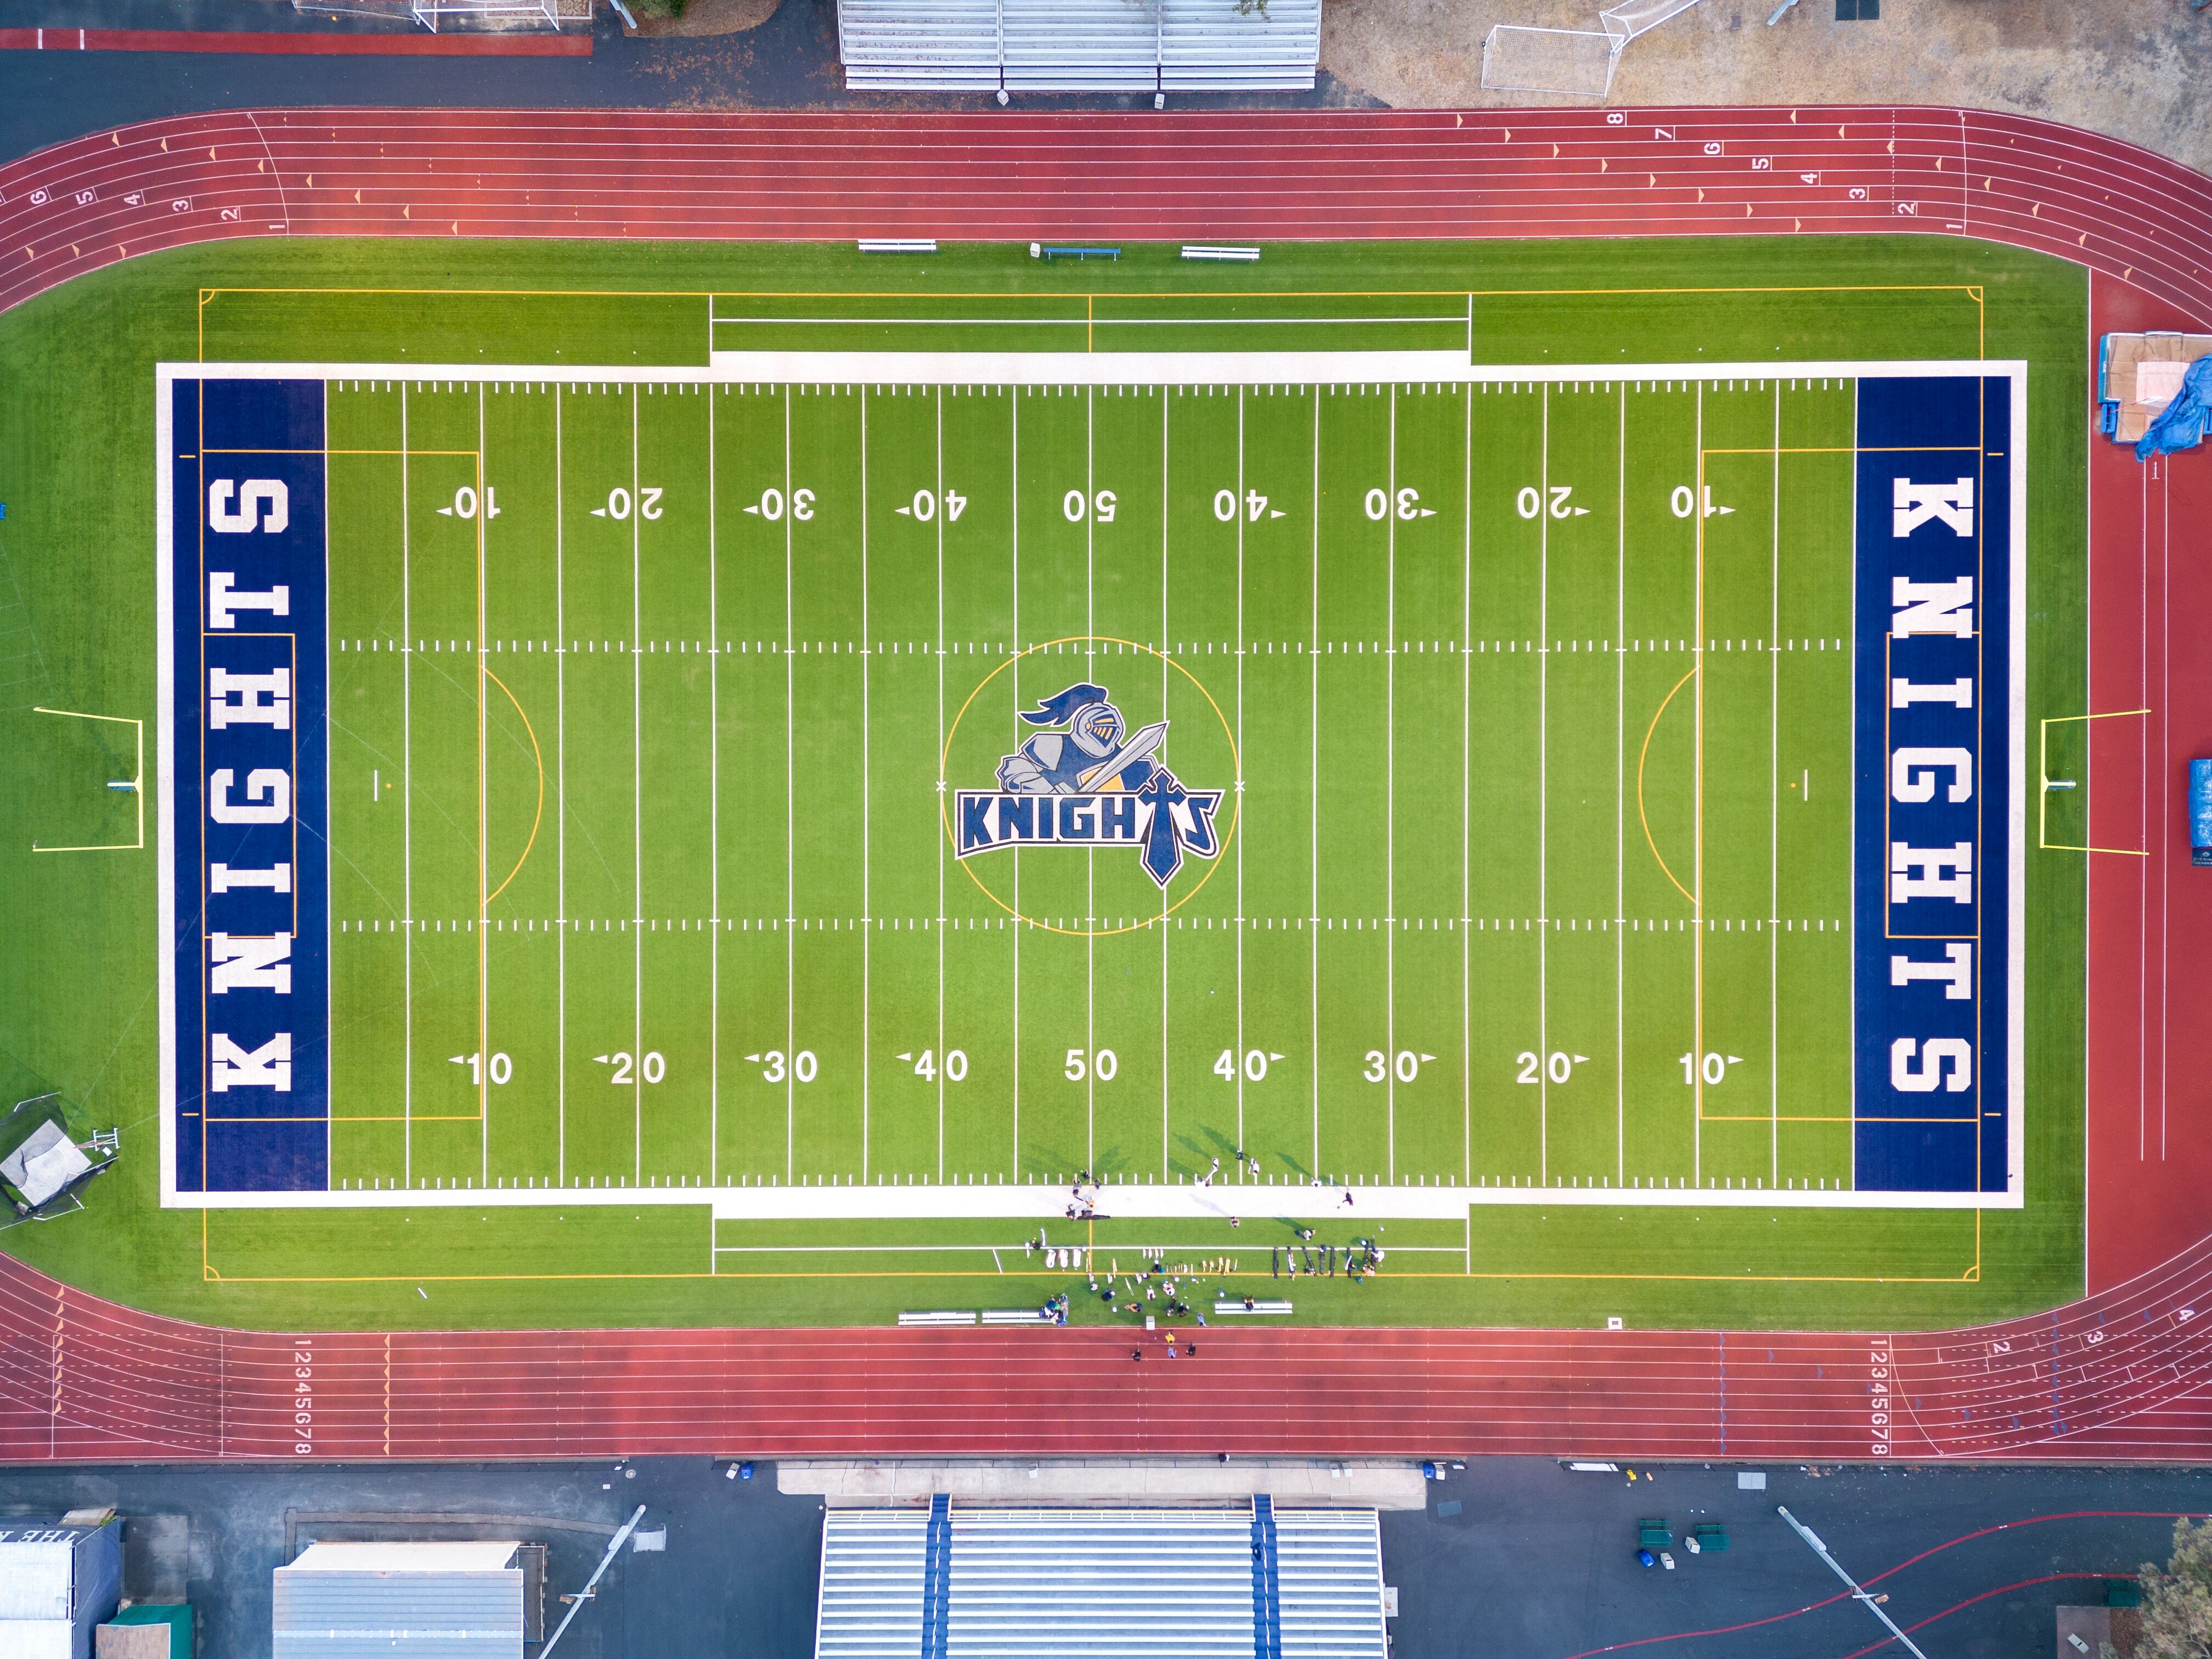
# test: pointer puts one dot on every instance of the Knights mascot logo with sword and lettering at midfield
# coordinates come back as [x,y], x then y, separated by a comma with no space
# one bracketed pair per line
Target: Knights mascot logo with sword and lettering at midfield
[1085,782]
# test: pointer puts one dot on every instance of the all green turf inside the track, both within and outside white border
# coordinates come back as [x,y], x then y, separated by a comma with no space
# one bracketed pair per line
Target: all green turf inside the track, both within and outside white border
[638,744]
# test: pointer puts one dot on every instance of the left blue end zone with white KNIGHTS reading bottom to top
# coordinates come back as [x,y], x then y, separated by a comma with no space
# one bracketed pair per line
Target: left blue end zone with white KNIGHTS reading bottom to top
[249,773]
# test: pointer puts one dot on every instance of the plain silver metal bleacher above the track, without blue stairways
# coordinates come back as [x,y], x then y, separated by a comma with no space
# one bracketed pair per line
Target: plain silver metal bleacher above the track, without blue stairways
[1081,45]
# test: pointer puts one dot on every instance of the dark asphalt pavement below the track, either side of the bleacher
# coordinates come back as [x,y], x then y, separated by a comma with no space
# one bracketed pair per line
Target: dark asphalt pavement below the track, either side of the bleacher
[1510,1558]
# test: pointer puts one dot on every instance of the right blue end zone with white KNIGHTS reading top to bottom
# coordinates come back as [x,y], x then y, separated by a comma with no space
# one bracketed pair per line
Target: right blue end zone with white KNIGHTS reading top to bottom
[1932,808]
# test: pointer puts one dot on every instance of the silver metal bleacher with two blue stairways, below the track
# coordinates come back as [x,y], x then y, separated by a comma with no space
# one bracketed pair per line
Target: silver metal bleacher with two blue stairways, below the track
[1100,1583]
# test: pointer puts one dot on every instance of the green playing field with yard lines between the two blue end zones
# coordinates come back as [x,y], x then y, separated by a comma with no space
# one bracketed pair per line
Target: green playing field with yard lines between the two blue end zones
[755,988]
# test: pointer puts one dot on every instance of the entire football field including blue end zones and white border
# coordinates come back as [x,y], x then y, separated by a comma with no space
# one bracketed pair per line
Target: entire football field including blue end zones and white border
[899,786]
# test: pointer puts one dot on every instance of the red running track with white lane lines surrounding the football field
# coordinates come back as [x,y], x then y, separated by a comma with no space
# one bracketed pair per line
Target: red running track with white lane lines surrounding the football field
[2122,1375]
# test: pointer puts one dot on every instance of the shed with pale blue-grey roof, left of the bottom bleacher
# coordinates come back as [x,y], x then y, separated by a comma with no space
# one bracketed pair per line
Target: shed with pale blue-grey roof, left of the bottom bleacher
[401,1603]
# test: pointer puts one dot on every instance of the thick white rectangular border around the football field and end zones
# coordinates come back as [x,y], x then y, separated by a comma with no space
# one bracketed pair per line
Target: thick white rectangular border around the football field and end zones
[1098,368]
